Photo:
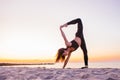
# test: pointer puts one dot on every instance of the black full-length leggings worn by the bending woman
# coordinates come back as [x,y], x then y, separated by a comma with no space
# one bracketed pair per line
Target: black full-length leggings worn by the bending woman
[79,33]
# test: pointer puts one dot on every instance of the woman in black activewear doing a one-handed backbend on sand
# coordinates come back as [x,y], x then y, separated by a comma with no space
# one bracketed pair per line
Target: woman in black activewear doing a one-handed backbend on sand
[74,44]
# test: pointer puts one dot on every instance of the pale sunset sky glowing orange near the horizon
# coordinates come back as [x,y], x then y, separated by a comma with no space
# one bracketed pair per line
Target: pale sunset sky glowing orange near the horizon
[29,29]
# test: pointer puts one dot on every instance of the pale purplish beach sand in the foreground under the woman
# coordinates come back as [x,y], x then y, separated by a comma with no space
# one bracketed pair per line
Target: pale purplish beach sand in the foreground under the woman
[38,73]
